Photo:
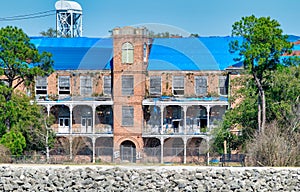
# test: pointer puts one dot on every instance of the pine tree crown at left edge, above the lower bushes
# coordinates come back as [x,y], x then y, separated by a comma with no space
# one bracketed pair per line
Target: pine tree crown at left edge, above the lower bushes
[20,61]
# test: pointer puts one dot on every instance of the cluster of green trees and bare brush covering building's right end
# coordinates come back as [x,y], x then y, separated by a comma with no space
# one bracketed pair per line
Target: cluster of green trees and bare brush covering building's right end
[266,94]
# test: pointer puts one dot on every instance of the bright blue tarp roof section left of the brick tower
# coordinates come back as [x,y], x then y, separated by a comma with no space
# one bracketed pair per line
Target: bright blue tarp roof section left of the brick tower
[77,53]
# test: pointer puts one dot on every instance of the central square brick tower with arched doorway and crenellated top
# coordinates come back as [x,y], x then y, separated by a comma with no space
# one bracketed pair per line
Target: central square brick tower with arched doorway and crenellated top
[131,48]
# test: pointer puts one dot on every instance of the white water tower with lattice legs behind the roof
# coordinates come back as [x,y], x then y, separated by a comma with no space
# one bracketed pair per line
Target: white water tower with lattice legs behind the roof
[68,19]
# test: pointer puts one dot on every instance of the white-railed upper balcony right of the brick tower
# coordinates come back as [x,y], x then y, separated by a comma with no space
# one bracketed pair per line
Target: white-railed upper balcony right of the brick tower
[182,116]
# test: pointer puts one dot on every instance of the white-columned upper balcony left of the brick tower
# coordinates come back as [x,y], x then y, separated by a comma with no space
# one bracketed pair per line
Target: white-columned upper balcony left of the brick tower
[80,115]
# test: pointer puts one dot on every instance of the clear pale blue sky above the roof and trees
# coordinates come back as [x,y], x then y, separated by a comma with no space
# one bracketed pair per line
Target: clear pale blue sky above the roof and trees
[207,18]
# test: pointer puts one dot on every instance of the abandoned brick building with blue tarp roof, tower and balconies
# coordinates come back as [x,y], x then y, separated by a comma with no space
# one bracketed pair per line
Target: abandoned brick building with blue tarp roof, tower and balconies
[134,98]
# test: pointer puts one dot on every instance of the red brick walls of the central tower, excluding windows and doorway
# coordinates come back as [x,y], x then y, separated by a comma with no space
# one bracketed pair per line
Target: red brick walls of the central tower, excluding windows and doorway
[137,69]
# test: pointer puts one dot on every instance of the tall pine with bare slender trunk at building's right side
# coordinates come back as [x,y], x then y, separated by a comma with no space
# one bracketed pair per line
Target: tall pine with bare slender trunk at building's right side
[261,50]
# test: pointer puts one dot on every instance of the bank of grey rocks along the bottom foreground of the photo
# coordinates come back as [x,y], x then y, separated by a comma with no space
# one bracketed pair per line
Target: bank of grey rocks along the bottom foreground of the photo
[146,178]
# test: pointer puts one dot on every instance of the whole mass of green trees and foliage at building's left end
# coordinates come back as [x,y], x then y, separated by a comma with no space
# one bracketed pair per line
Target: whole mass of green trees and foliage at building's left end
[21,122]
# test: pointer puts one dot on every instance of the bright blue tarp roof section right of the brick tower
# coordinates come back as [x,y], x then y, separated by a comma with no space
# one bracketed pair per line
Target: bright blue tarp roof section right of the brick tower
[204,53]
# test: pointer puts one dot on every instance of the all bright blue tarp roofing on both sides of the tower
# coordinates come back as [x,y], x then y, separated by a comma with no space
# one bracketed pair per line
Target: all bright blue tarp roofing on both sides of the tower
[187,54]
